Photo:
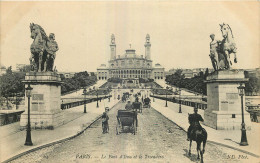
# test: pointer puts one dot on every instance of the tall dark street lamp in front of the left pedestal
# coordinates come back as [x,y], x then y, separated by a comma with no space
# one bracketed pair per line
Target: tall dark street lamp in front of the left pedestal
[28,140]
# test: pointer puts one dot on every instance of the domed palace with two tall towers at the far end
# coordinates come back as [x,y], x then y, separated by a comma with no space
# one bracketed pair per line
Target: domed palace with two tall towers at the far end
[130,66]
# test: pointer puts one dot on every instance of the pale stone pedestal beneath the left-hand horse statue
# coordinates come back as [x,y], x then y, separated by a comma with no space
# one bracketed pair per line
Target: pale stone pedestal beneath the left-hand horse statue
[45,103]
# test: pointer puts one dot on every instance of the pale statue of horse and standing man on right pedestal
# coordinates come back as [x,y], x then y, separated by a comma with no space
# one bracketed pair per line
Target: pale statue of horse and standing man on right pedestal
[220,50]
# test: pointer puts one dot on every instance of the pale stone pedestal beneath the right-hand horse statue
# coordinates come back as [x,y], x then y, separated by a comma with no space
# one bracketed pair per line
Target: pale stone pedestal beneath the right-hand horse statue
[224,103]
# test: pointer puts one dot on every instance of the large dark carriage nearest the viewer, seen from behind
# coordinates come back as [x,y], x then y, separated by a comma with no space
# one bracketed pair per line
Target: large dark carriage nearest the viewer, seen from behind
[128,119]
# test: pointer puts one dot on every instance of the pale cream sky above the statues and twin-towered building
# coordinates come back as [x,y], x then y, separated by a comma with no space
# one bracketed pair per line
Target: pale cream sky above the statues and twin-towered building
[179,31]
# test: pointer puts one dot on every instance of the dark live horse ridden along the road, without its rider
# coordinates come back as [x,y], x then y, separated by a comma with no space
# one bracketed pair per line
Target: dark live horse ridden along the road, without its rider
[199,135]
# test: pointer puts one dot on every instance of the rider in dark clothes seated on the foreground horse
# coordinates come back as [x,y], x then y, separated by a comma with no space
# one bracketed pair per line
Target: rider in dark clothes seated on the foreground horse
[193,118]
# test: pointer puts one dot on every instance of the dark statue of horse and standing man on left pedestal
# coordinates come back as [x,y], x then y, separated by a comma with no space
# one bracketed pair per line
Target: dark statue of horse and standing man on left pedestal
[43,49]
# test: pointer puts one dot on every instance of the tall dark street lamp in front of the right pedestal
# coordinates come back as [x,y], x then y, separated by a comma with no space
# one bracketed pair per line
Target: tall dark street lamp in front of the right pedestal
[243,130]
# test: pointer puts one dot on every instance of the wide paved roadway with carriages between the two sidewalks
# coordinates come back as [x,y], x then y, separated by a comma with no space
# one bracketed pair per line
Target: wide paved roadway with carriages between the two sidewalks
[157,140]
